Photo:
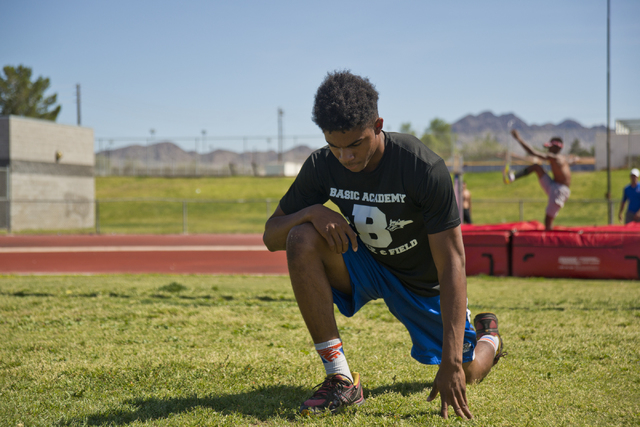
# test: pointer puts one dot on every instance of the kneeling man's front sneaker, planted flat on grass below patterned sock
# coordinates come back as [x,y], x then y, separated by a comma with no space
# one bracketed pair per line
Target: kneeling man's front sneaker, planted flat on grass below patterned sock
[333,394]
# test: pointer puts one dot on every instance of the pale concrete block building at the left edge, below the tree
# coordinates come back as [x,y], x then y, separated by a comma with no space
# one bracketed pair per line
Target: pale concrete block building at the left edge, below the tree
[46,175]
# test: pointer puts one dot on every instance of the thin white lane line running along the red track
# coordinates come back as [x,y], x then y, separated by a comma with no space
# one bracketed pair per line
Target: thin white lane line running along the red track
[63,249]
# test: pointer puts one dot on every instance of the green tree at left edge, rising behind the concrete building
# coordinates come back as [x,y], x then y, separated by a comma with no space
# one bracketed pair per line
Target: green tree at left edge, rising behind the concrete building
[22,97]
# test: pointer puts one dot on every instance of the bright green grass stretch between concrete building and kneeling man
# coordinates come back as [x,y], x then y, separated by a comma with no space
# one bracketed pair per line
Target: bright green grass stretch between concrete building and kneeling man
[202,215]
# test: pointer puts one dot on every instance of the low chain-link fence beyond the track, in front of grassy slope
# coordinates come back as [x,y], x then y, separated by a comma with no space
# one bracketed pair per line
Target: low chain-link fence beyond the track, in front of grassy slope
[188,216]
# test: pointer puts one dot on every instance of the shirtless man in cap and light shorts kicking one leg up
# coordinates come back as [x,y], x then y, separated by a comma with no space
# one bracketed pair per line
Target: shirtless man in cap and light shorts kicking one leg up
[557,188]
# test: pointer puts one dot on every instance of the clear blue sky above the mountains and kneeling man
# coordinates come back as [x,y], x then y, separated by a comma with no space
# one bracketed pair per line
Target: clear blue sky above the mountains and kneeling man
[226,66]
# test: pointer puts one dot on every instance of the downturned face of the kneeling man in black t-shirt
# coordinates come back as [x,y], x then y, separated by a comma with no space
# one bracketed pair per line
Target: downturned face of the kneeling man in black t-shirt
[357,149]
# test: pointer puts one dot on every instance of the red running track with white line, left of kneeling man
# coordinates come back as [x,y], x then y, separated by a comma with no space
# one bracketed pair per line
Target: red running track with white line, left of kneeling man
[178,254]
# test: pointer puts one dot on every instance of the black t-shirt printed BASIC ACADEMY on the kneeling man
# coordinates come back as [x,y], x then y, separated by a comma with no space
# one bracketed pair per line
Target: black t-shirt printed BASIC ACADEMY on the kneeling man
[393,209]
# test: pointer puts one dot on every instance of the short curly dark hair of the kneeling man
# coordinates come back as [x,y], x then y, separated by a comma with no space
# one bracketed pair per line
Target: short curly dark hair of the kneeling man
[345,101]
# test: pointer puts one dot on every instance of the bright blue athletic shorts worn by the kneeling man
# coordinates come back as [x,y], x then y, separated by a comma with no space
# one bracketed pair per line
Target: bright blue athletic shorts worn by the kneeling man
[419,314]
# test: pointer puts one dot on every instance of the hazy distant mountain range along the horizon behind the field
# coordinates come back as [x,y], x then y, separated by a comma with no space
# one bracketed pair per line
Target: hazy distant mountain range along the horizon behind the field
[467,129]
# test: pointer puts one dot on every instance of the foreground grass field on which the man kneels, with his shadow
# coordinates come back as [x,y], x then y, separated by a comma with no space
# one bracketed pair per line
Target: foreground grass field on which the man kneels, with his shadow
[134,350]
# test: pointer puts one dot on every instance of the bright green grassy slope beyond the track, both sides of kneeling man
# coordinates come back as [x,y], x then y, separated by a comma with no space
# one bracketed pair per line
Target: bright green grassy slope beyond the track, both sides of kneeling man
[493,202]
